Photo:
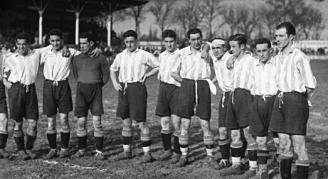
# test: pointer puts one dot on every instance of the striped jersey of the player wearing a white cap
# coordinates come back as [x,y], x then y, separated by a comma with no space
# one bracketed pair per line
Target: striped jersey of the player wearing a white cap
[224,76]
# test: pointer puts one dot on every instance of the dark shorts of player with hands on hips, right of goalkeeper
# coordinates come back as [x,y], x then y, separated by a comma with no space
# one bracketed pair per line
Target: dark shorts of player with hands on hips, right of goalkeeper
[132,102]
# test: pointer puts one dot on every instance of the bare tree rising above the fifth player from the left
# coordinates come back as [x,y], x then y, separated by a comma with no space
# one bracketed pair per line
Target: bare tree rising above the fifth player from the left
[162,9]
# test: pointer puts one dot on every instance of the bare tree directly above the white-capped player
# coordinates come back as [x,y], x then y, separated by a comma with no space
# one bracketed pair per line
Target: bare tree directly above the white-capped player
[210,10]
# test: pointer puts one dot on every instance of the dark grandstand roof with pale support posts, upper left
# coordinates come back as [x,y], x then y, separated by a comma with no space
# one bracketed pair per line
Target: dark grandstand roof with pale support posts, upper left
[25,14]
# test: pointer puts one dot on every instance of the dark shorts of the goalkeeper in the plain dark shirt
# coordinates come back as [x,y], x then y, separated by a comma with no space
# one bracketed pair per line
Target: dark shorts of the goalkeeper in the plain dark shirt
[88,96]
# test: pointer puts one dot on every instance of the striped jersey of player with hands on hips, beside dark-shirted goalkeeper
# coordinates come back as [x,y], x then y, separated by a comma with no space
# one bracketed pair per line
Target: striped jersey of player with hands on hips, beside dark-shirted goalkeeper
[132,66]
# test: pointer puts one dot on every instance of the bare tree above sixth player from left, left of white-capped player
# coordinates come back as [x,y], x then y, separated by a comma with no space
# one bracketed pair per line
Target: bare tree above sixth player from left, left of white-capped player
[189,15]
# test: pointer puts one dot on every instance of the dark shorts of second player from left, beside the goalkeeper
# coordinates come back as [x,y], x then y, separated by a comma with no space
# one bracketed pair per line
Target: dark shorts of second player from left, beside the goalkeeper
[57,96]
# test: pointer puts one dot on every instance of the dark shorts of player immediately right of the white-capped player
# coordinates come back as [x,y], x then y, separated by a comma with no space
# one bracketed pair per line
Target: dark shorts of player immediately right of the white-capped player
[239,109]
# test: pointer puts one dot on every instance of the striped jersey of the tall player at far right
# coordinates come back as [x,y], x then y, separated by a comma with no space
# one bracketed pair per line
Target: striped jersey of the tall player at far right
[294,71]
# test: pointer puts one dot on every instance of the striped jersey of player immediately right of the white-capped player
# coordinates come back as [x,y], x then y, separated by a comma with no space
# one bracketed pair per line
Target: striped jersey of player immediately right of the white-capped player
[242,72]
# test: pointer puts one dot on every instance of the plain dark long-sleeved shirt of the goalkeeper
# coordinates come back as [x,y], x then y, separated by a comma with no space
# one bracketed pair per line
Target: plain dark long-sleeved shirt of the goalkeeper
[90,70]
